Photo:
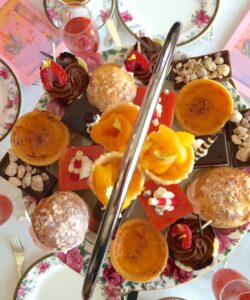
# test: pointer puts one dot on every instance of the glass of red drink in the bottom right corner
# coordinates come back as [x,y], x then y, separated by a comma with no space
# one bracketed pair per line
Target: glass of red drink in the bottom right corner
[229,284]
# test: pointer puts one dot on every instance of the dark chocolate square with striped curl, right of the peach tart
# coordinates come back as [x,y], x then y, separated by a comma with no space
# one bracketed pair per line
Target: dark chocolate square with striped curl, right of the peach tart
[217,153]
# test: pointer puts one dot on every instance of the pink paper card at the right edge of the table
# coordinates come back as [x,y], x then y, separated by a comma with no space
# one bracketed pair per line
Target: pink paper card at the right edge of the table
[239,47]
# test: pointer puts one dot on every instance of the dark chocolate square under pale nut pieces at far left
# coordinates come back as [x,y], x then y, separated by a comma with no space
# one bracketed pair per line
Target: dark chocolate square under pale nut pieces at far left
[48,184]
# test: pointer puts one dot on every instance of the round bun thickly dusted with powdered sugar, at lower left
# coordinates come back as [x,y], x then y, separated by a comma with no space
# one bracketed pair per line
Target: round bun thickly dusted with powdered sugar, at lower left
[61,221]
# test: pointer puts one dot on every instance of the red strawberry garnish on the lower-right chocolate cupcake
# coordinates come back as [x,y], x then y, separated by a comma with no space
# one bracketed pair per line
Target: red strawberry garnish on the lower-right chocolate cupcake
[182,231]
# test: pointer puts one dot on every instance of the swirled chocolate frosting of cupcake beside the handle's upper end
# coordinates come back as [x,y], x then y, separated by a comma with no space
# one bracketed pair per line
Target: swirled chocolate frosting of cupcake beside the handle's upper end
[152,55]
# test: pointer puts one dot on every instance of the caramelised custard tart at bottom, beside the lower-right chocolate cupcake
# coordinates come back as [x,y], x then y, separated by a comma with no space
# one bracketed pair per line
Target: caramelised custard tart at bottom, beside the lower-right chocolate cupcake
[139,252]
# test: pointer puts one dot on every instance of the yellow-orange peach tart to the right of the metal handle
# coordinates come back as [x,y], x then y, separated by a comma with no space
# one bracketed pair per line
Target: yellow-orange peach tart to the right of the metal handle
[167,156]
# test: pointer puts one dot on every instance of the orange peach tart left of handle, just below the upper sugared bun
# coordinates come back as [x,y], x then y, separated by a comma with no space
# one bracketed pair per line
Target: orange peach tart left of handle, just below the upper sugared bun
[115,126]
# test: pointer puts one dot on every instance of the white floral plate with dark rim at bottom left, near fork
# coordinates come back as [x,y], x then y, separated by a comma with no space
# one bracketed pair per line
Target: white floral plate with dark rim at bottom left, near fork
[50,278]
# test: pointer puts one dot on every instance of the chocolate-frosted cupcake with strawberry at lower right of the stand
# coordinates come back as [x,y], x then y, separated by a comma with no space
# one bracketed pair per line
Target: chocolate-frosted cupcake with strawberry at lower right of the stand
[188,248]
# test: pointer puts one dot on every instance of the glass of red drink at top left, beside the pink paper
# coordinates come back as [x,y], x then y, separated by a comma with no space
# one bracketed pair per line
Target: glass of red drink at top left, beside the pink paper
[78,29]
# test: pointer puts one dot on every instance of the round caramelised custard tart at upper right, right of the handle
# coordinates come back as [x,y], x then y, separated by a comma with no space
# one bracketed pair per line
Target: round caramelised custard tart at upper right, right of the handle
[203,107]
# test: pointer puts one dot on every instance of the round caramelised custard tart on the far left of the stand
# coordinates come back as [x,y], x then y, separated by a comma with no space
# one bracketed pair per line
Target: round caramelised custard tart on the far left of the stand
[39,138]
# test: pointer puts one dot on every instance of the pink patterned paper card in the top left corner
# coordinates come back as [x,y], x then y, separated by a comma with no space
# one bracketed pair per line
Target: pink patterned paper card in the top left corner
[24,31]
